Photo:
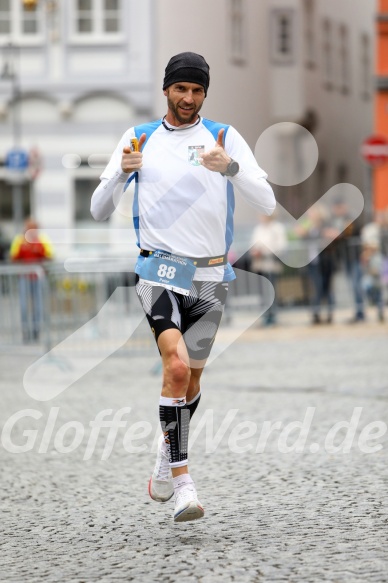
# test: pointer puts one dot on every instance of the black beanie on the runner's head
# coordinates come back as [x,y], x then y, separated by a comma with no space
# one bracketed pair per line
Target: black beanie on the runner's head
[188,67]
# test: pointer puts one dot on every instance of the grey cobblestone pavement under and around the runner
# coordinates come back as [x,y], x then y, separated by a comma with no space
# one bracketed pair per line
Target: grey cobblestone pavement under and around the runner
[319,514]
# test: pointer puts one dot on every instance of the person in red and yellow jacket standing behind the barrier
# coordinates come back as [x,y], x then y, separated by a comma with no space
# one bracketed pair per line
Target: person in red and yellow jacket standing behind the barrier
[34,249]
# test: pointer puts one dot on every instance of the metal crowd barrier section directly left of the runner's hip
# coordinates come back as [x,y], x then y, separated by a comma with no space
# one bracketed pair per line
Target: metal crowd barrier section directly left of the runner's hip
[95,309]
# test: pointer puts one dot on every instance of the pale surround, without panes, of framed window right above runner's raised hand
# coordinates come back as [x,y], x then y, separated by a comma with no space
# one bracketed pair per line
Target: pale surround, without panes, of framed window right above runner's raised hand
[278,56]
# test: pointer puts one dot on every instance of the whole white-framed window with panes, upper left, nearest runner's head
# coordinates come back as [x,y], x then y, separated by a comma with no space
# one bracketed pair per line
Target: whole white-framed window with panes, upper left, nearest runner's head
[97,17]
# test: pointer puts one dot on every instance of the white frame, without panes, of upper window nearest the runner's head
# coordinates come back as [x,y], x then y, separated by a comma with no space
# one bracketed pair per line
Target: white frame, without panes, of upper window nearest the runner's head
[97,35]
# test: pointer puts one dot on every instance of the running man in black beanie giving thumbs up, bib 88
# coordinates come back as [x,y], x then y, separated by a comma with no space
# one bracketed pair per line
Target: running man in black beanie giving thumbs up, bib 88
[185,172]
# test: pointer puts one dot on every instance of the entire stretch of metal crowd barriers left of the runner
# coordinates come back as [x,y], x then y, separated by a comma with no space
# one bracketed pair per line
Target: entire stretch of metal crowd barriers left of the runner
[84,311]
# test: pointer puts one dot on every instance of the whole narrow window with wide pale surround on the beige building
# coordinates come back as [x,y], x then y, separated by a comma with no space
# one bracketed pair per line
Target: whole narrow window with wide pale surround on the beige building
[283,36]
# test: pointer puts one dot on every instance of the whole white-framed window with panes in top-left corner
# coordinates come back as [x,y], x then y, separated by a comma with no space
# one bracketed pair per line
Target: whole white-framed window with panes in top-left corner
[18,23]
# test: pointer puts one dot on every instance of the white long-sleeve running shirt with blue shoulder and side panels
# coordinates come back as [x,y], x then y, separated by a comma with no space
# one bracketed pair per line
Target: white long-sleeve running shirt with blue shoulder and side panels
[180,206]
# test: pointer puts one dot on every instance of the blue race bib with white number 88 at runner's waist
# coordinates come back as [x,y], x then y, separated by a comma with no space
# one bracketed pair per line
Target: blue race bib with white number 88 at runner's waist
[168,270]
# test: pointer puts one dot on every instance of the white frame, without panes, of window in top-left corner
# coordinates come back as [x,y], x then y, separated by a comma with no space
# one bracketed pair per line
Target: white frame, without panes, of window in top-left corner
[16,35]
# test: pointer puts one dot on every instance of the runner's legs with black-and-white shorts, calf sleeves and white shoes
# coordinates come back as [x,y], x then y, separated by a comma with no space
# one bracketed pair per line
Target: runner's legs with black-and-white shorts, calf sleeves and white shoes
[201,313]
